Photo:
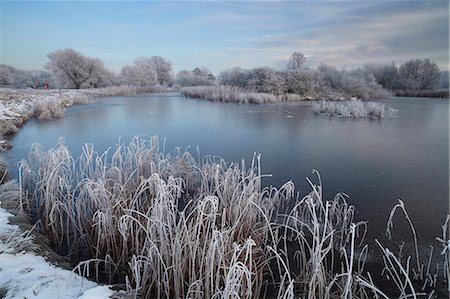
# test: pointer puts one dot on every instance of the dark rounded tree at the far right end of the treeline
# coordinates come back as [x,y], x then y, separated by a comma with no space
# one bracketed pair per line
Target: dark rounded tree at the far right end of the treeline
[419,74]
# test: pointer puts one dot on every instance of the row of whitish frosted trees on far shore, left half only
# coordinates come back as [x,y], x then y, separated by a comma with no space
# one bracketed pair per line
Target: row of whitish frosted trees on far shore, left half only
[68,68]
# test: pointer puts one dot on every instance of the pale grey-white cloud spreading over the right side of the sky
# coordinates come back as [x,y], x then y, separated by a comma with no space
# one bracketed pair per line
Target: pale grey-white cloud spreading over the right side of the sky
[368,33]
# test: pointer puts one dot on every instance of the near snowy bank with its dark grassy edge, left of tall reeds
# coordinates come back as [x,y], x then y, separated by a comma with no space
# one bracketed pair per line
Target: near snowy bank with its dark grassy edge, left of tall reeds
[28,268]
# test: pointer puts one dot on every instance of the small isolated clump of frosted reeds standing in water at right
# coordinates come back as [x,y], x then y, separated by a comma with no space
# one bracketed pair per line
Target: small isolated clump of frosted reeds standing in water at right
[354,109]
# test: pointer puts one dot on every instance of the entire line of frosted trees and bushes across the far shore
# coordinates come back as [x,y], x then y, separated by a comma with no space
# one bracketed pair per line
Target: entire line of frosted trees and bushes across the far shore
[68,68]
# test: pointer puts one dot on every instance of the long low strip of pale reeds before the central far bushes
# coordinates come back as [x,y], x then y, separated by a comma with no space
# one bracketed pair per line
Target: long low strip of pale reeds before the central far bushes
[228,94]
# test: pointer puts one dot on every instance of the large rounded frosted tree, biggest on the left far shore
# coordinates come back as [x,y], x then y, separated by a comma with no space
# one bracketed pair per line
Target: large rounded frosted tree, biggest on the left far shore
[74,70]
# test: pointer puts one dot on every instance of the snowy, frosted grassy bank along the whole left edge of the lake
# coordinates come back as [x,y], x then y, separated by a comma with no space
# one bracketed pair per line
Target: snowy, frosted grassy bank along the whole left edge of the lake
[27,269]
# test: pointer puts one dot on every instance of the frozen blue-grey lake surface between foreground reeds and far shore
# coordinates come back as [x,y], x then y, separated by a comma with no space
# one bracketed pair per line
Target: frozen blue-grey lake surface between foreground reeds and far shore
[375,162]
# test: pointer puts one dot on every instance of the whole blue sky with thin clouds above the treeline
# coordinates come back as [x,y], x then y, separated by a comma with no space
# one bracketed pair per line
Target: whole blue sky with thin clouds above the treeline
[221,35]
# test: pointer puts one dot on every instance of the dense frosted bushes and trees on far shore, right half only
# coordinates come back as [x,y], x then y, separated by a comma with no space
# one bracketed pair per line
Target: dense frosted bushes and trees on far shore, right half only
[416,77]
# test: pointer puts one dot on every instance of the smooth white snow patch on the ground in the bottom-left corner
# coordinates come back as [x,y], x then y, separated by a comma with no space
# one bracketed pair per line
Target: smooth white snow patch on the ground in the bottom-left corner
[27,275]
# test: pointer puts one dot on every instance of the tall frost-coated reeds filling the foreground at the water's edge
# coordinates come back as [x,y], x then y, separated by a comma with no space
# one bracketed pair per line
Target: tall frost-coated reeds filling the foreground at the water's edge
[170,226]
